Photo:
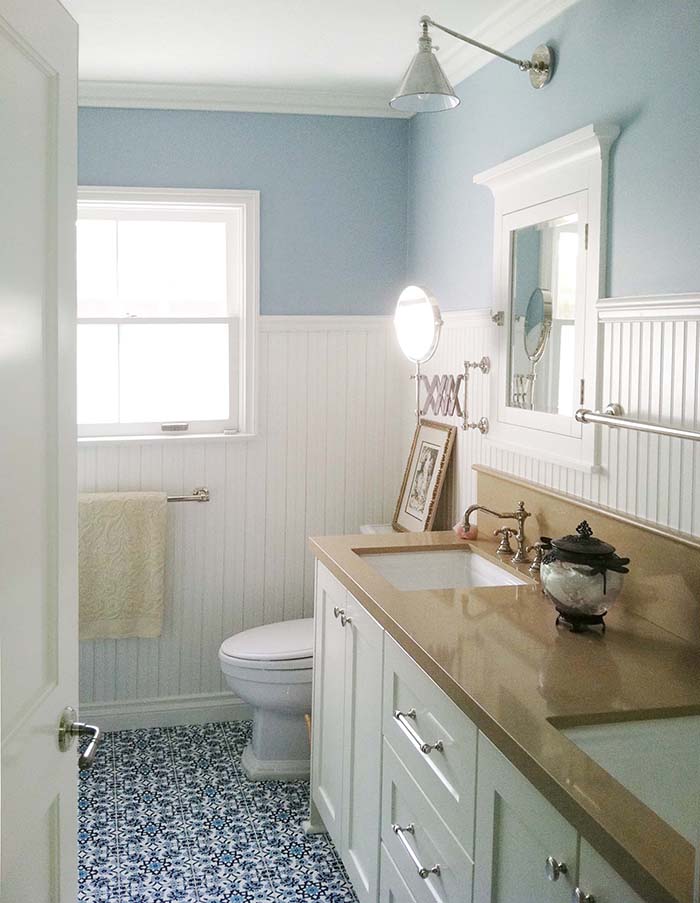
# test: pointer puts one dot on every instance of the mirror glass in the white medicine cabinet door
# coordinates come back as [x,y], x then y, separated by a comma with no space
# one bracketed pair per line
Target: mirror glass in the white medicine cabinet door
[543,311]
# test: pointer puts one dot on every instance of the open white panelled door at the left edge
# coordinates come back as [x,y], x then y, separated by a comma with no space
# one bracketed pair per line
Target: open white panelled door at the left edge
[38,587]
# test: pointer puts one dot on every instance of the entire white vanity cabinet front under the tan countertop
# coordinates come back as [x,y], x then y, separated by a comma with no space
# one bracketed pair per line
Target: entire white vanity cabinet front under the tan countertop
[421,806]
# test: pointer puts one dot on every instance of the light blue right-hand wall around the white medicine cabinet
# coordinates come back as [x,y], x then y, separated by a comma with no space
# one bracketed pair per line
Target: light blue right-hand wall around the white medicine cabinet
[634,62]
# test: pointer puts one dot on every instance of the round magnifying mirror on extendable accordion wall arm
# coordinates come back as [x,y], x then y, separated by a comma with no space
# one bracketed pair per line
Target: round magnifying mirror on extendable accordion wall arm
[417,322]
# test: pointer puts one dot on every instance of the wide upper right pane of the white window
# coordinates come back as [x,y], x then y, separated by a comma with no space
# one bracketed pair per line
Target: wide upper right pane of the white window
[172,269]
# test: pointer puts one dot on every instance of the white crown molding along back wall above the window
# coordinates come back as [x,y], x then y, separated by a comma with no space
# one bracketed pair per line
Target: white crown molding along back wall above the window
[162,96]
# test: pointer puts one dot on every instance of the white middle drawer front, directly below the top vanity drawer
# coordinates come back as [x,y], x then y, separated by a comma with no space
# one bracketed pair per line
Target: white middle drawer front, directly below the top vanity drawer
[425,844]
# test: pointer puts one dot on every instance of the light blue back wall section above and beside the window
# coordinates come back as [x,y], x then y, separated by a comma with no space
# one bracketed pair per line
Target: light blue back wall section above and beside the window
[333,192]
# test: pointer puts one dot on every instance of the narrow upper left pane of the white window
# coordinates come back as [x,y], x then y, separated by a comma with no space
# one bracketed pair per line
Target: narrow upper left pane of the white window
[97,268]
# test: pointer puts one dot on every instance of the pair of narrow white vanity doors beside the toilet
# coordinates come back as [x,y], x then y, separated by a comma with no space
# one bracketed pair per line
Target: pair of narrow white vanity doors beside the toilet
[346,742]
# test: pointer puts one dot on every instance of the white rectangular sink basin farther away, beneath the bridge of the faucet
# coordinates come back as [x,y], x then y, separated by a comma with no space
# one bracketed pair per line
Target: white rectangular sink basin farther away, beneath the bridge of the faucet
[453,568]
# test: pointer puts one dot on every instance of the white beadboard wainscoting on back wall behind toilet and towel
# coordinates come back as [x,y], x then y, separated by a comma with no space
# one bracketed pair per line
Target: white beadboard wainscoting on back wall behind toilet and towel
[328,457]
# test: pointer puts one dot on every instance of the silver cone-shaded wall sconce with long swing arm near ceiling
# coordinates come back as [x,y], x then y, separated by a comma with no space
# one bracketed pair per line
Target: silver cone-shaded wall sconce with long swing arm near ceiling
[425,87]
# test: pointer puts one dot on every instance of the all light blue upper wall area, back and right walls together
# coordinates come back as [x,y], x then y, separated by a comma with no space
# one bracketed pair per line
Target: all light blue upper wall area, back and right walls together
[336,234]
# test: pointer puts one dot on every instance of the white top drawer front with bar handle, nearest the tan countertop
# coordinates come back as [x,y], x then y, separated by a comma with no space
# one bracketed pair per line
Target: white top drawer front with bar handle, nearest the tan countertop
[447,776]
